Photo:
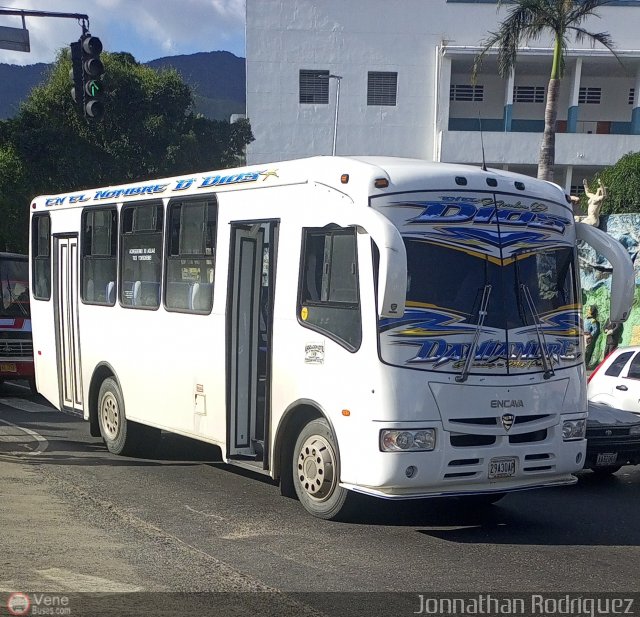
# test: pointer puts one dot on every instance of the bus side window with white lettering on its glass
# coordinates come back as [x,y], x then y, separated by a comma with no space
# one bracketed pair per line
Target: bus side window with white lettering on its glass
[141,263]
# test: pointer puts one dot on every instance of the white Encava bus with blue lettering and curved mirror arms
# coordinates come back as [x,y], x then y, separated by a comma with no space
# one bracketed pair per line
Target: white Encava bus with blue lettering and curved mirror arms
[387,326]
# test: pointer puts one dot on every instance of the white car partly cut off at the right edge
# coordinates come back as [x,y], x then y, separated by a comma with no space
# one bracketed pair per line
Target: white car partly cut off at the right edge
[616,380]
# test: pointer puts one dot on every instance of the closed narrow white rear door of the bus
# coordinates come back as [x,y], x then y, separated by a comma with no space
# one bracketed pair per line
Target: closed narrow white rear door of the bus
[66,319]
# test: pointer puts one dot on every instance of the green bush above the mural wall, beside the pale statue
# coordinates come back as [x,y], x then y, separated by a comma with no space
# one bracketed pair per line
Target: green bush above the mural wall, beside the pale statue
[622,182]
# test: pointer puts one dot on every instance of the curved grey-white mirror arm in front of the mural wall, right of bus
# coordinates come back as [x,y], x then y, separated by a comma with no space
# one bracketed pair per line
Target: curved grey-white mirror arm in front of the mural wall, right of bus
[623,276]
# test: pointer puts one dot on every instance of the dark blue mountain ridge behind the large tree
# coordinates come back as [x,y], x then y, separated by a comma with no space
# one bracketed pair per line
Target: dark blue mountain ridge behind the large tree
[217,78]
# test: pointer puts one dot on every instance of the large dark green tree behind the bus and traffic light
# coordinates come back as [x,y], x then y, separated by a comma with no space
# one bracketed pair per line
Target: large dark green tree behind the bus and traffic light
[149,130]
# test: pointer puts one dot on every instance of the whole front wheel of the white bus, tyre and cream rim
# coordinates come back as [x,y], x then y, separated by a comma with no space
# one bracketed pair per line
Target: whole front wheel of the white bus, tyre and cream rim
[316,472]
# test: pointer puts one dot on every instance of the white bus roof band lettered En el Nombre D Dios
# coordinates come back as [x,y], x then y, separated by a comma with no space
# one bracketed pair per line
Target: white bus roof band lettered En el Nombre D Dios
[352,175]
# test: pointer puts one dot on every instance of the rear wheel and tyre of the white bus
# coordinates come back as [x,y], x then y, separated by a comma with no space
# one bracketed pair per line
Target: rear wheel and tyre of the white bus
[119,436]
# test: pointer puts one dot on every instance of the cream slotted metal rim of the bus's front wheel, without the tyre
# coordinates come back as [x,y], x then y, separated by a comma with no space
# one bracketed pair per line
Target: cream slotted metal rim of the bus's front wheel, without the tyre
[316,467]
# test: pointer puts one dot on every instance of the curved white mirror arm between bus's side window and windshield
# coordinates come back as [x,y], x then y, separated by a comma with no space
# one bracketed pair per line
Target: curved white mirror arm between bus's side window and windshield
[392,269]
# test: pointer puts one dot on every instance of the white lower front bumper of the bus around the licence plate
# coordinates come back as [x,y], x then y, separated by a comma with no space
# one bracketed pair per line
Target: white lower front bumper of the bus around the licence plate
[449,471]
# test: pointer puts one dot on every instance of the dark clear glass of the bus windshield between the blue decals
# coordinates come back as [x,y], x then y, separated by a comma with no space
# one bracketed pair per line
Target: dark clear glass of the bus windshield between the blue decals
[522,286]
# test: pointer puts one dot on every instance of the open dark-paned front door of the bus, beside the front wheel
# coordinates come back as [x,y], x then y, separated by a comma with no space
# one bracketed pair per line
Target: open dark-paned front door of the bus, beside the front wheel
[249,313]
